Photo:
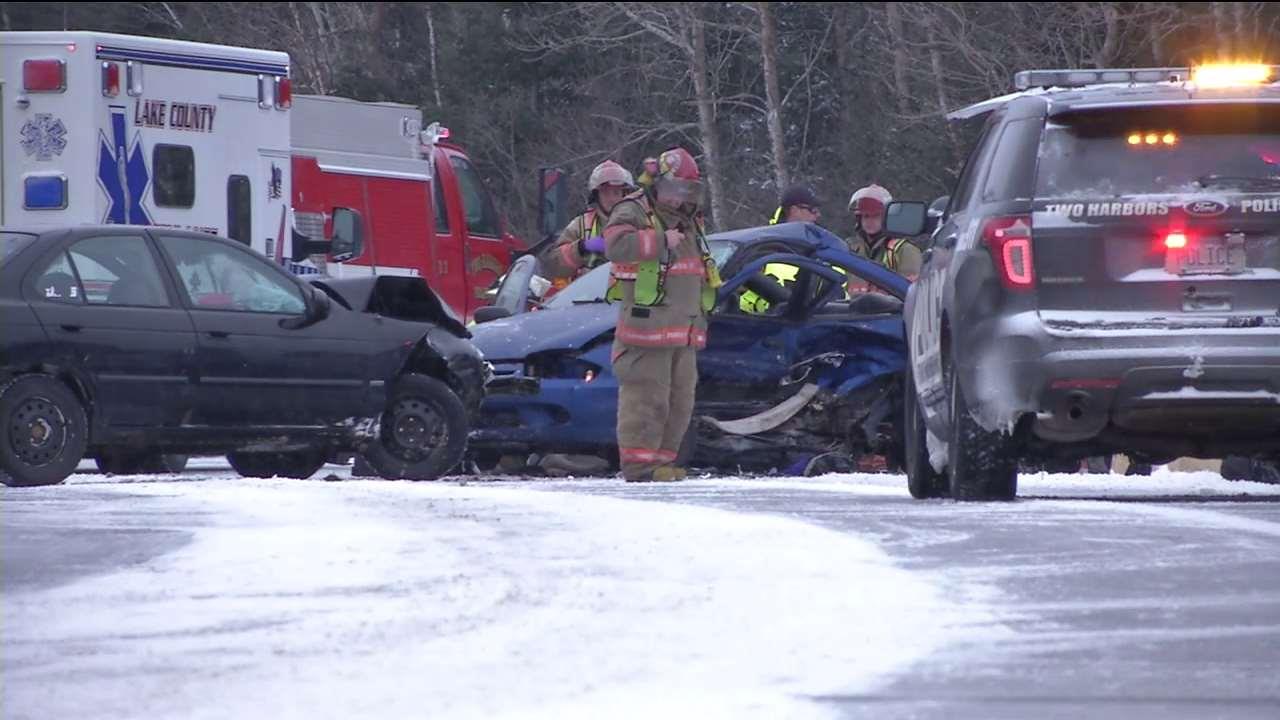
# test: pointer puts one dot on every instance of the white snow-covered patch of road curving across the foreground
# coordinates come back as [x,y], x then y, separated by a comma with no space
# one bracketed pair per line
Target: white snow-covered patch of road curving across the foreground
[397,600]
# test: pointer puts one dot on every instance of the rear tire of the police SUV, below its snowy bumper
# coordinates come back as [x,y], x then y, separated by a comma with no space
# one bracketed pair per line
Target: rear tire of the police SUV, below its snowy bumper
[980,463]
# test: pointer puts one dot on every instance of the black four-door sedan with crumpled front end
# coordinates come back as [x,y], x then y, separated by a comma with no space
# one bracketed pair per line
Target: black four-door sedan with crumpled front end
[130,344]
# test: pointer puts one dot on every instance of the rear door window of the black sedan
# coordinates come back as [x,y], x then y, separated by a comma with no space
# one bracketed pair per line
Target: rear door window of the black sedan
[120,271]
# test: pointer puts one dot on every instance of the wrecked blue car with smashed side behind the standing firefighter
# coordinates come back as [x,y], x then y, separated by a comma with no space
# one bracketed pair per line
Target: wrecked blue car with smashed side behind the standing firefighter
[819,372]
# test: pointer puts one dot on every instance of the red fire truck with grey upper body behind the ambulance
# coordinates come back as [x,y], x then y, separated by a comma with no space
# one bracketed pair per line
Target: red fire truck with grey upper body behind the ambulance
[395,198]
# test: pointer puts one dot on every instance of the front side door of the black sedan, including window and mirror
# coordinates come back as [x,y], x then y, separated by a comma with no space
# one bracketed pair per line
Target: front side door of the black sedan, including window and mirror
[255,364]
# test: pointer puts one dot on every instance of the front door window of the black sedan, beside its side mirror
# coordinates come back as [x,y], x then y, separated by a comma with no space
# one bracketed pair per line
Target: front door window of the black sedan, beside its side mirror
[220,277]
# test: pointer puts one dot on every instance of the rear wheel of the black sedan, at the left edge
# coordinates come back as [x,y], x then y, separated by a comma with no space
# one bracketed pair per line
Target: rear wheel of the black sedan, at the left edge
[44,432]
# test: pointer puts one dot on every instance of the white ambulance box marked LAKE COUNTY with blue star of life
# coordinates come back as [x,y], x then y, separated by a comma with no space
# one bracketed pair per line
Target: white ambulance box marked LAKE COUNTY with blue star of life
[112,129]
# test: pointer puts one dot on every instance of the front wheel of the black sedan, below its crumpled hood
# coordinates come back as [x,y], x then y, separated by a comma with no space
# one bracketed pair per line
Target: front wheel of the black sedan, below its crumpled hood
[424,431]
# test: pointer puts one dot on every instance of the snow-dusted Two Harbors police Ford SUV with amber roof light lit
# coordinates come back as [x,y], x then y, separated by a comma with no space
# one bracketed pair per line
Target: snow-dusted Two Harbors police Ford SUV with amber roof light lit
[1107,279]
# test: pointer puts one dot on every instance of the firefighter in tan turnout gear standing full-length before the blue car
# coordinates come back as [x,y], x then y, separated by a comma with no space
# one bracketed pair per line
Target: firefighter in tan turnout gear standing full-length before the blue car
[666,280]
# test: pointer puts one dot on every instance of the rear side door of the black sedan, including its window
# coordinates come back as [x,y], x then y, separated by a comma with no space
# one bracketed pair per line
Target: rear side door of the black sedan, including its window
[113,317]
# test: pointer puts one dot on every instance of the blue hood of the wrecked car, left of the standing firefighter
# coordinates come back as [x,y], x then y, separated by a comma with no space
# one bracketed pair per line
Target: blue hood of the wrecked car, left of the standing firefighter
[569,329]
